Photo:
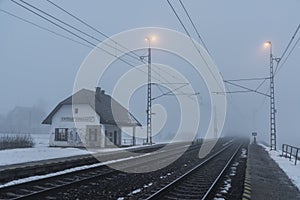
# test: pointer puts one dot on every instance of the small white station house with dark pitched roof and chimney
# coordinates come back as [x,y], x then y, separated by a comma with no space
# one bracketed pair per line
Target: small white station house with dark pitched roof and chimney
[89,118]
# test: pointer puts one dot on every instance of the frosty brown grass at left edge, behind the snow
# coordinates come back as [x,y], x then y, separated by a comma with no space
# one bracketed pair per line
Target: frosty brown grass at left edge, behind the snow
[13,141]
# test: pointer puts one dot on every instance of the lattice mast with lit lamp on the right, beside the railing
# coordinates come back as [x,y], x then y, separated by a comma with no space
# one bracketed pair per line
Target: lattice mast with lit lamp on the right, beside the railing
[272,97]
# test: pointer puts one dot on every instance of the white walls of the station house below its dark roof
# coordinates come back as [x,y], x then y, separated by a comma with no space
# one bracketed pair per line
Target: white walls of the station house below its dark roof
[79,125]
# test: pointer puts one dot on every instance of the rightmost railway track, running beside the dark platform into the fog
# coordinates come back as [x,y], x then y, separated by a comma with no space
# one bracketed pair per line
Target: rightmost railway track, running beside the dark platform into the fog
[199,182]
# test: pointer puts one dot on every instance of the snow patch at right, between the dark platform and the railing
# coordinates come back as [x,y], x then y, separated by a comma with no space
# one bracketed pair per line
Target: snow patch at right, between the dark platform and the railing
[289,167]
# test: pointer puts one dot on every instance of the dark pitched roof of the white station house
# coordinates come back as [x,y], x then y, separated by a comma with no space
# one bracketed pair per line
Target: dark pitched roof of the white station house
[102,104]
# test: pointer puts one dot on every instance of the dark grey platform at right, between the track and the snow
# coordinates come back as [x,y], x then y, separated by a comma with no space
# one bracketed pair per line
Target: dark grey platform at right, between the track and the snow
[265,180]
